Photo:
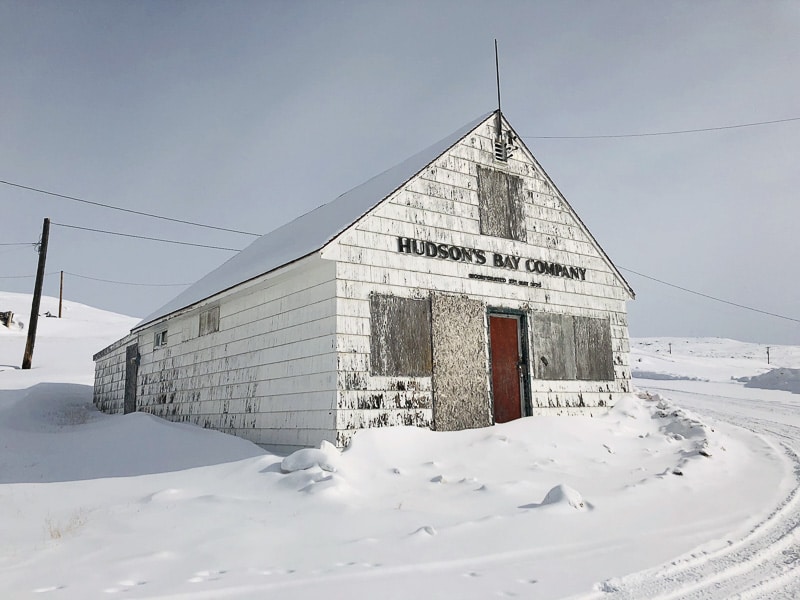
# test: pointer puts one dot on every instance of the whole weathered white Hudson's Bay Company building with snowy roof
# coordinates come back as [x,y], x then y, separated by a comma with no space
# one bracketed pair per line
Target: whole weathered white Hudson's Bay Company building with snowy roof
[455,290]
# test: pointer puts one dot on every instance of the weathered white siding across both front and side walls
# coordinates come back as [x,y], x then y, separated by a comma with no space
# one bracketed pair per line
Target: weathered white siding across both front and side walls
[288,360]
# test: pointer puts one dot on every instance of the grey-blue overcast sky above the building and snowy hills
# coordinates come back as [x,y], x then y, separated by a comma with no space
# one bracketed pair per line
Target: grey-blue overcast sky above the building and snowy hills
[248,114]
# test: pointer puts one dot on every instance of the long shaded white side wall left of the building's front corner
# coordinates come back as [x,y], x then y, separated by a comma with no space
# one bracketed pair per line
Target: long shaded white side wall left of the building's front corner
[268,374]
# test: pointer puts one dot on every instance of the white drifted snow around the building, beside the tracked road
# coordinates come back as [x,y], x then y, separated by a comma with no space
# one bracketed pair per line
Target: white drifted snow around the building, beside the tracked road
[92,505]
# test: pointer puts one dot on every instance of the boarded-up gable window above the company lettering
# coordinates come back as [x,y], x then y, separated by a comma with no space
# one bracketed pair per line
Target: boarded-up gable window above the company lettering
[500,204]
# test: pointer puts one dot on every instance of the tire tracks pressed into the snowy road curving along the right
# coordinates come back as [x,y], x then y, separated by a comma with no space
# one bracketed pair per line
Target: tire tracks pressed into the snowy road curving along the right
[764,564]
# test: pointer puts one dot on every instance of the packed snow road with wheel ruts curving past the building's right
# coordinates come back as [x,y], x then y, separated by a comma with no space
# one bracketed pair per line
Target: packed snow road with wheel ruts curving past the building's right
[763,564]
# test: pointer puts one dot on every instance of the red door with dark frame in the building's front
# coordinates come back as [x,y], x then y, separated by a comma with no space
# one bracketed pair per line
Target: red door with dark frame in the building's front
[504,339]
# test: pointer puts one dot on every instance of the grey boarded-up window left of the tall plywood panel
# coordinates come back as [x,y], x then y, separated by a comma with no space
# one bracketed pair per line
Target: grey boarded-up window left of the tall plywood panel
[400,340]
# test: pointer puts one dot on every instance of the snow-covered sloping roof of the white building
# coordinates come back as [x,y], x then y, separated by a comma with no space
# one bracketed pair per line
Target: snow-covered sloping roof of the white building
[309,232]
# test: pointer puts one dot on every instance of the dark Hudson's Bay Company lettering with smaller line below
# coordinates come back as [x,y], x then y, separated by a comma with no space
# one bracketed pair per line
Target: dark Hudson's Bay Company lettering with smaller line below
[477,256]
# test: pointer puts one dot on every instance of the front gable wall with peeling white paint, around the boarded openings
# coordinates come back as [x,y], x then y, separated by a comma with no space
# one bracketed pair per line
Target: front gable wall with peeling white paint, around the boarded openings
[442,205]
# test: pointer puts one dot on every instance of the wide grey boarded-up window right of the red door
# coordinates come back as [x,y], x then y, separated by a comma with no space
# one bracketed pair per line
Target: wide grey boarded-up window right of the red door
[569,348]
